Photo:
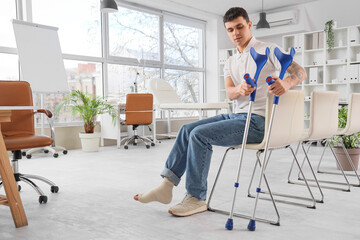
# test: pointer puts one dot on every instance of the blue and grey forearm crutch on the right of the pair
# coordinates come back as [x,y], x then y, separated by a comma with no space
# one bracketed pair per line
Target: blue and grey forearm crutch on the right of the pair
[285,61]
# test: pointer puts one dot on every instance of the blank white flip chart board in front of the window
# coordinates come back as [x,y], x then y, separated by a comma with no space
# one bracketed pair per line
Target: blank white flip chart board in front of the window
[40,57]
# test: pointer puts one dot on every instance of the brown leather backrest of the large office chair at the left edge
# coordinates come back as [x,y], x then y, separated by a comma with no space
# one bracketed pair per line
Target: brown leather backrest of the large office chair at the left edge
[17,93]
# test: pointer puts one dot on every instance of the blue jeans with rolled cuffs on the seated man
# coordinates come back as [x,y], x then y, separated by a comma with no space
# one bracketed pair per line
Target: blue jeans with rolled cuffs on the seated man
[193,147]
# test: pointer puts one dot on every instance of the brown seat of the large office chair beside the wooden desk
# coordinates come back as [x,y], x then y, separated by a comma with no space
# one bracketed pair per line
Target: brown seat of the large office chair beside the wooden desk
[27,141]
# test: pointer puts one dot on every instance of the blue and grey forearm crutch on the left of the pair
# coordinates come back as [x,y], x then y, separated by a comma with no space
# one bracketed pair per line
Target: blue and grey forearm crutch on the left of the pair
[260,61]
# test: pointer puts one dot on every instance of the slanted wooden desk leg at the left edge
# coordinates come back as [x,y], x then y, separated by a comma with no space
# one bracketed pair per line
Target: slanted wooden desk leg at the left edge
[11,190]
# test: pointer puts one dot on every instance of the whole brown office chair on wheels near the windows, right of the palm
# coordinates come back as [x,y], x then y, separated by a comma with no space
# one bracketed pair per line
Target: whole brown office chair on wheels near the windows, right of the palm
[138,111]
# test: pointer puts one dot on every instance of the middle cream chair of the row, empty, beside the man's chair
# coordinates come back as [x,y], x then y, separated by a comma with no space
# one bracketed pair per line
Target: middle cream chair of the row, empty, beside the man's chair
[323,125]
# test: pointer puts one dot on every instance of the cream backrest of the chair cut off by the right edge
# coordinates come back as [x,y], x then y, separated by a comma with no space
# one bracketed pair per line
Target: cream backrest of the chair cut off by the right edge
[353,120]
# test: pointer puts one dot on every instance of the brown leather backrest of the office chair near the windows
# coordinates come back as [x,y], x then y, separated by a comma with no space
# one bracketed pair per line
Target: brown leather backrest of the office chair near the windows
[139,108]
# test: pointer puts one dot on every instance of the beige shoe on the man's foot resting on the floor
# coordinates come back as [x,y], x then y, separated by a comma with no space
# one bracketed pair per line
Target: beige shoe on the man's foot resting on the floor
[189,206]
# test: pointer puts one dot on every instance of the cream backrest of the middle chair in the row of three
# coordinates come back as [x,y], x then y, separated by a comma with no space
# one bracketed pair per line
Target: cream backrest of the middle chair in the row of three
[323,114]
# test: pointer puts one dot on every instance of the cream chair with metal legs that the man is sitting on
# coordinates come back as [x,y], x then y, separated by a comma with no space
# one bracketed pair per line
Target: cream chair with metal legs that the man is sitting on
[286,129]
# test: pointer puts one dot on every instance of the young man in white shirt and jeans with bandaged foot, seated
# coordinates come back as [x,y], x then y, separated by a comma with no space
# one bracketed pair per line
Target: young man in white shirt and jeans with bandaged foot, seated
[193,146]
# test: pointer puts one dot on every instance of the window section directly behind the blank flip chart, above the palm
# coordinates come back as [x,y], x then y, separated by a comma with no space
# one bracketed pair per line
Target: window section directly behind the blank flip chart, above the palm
[80,36]
